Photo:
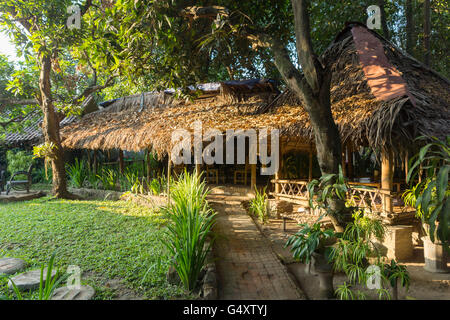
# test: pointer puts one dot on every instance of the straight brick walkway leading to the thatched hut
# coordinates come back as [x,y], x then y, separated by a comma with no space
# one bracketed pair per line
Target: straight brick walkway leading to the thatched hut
[247,267]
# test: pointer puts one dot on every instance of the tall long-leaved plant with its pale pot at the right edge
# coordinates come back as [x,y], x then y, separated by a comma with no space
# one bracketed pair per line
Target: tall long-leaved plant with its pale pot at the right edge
[431,199]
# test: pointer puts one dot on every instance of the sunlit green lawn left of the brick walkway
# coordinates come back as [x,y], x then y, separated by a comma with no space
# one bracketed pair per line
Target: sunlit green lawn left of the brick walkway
[106,239]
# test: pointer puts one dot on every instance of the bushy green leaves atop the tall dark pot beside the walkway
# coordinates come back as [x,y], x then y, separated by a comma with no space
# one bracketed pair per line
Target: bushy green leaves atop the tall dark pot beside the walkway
[310,239]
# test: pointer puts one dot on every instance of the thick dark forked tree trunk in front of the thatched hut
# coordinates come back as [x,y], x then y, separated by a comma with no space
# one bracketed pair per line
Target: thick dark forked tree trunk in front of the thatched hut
[314,89]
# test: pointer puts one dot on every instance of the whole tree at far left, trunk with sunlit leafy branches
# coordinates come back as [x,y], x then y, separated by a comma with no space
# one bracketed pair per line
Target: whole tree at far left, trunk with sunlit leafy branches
[39,28]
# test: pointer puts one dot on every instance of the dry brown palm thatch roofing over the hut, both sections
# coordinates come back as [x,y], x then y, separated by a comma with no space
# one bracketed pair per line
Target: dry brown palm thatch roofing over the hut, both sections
[363,115]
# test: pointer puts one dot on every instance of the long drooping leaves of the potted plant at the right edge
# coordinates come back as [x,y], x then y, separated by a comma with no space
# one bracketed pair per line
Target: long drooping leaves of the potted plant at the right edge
[430,197]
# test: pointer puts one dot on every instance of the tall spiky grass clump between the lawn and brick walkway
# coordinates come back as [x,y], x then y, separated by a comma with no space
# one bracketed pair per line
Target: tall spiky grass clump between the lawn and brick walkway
[190,223]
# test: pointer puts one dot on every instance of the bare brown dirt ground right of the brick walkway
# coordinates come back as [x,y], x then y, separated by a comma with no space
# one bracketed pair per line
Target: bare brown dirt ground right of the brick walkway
[424,285]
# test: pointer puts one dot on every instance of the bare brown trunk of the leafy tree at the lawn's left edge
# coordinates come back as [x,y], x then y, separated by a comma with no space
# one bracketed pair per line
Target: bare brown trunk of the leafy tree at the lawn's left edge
[50,129]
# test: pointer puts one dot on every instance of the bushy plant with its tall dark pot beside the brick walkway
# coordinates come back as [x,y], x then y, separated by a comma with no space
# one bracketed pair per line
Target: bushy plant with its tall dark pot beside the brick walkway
[313,245]
